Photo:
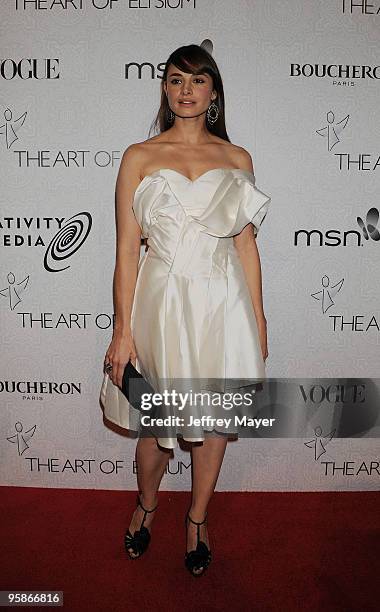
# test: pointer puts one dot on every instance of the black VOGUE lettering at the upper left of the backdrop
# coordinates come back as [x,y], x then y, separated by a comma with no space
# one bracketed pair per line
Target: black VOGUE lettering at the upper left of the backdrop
[28,68]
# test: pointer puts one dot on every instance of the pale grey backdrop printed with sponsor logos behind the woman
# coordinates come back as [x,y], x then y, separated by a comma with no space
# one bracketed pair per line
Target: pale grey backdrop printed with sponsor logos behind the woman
[80,82]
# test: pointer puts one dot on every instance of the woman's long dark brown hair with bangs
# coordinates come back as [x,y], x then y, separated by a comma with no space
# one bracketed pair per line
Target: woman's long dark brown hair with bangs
[194,59]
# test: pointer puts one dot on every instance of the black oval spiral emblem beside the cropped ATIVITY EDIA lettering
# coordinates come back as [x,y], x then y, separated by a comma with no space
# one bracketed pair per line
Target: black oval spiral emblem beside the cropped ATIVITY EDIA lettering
[67,241]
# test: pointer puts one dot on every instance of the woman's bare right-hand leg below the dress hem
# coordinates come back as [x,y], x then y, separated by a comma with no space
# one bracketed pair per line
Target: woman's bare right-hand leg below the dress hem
[207,459]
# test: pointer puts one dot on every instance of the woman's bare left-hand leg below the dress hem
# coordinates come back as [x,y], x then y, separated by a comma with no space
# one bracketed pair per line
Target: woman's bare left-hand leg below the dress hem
[151,460]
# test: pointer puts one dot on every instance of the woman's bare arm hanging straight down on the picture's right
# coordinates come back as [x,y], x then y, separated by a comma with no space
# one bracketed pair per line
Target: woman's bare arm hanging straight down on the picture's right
[246,247]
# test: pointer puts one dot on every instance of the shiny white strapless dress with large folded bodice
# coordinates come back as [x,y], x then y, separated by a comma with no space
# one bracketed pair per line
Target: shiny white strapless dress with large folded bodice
[192,315]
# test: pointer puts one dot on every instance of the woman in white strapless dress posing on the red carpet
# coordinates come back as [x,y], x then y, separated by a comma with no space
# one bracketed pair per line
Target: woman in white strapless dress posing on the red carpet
[192,307]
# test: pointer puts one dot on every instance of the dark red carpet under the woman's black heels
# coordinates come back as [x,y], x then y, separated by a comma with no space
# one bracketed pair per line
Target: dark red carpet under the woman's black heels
[271,551]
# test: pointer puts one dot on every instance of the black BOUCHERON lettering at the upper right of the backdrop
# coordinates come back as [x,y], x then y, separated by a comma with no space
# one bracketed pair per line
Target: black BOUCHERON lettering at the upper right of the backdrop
[335,71]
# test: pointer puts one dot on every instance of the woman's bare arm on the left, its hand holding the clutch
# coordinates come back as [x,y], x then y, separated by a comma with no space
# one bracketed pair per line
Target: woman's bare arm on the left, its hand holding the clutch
[128,241]
